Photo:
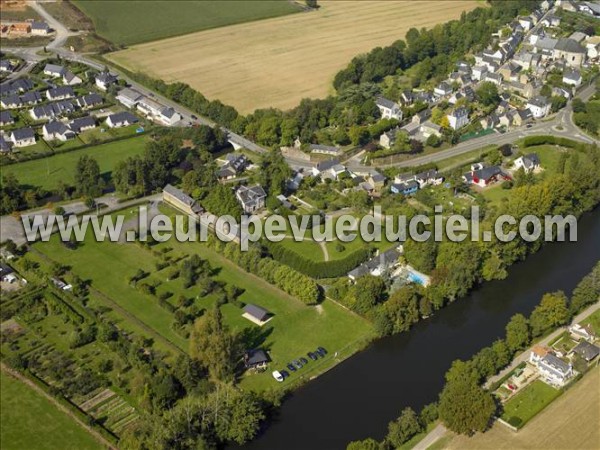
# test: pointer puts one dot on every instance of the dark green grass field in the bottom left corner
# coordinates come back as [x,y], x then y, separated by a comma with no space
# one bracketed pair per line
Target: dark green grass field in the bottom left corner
[30,421]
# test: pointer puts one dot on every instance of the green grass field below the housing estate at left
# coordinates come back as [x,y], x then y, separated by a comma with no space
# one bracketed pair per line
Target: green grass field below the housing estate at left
[47,172]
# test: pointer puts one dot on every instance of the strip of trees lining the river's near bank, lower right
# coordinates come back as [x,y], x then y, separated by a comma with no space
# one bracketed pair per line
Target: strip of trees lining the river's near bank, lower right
[464,405]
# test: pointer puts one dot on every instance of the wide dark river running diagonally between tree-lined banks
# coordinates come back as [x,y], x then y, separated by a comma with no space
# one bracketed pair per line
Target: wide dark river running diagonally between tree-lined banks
[358,398]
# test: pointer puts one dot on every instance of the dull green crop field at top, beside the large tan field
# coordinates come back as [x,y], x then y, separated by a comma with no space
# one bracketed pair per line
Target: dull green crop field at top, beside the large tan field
[161,19]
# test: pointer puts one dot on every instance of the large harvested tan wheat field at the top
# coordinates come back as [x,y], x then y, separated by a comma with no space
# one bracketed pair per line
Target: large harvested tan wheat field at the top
[277,62]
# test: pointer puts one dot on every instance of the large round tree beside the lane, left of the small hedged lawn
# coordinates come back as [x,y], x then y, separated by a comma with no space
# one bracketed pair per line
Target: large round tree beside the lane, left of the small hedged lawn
[465,407]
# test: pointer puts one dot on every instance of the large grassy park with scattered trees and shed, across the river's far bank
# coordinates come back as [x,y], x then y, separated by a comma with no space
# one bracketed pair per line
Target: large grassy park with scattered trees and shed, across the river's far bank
[294,330]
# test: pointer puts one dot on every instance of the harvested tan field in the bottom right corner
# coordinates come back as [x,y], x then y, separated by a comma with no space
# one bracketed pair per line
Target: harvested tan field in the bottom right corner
[570,422]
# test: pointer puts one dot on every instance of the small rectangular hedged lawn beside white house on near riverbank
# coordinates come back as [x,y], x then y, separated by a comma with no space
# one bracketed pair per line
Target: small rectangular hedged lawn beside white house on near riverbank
[527,403]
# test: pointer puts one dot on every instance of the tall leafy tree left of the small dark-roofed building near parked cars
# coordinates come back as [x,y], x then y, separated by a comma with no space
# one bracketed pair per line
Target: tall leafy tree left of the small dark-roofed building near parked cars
[214,346]
